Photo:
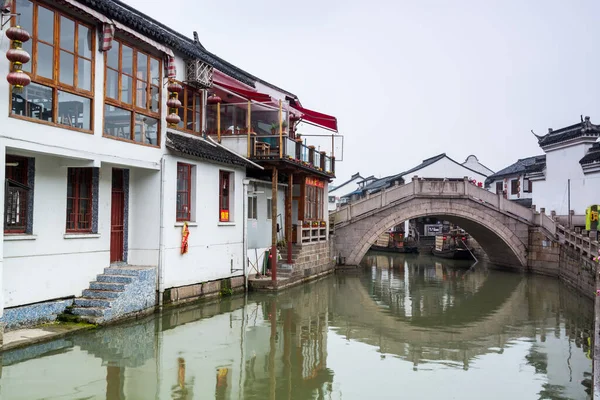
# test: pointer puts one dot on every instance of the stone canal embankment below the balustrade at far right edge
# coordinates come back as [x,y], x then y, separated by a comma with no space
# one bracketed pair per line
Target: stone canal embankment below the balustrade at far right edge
[577,271]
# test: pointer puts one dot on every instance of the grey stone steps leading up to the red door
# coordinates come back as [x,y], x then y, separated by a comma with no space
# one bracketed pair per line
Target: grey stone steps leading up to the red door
[117,292]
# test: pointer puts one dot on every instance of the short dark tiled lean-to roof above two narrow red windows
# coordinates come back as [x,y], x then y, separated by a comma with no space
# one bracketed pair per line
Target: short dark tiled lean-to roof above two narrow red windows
[200,148]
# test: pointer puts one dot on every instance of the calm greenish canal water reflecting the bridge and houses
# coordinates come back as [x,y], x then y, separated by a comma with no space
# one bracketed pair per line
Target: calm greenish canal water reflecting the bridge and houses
[404,327]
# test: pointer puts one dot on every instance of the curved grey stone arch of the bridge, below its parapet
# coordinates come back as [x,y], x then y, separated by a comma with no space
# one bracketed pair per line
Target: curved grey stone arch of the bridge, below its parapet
[503,238]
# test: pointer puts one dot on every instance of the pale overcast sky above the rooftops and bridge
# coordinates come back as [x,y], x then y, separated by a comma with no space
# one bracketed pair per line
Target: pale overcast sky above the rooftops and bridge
[409,79]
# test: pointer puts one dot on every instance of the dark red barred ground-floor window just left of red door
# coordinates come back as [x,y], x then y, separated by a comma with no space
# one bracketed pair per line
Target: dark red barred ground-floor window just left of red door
[79,200]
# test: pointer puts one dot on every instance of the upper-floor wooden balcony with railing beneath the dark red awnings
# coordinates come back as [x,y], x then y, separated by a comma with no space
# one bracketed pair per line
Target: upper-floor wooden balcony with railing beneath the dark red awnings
[259,132]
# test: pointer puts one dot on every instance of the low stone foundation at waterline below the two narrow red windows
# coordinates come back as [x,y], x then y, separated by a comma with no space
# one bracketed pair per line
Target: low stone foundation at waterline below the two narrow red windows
[203,290]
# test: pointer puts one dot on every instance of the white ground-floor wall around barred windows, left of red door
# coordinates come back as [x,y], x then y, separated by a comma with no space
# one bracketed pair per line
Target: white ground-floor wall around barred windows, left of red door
[62,266]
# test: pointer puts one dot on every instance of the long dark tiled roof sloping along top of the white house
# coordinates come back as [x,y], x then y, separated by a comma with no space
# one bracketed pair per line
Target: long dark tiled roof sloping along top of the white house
[142,23]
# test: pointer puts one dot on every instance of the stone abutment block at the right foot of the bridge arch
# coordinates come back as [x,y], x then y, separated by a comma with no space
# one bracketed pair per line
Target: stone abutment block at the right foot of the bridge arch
[543,253]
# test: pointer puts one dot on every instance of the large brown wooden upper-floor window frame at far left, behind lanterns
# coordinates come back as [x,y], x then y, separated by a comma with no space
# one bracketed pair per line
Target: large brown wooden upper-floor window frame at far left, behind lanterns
[54,83]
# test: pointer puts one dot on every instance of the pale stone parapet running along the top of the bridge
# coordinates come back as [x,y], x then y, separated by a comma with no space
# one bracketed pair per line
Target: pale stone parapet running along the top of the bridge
[439,188]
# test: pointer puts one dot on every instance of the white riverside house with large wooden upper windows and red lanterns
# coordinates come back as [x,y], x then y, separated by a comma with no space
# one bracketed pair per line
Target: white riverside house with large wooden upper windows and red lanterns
[116,199]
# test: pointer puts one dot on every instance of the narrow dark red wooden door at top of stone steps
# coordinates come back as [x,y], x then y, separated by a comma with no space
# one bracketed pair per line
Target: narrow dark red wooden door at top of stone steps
[117,217]
